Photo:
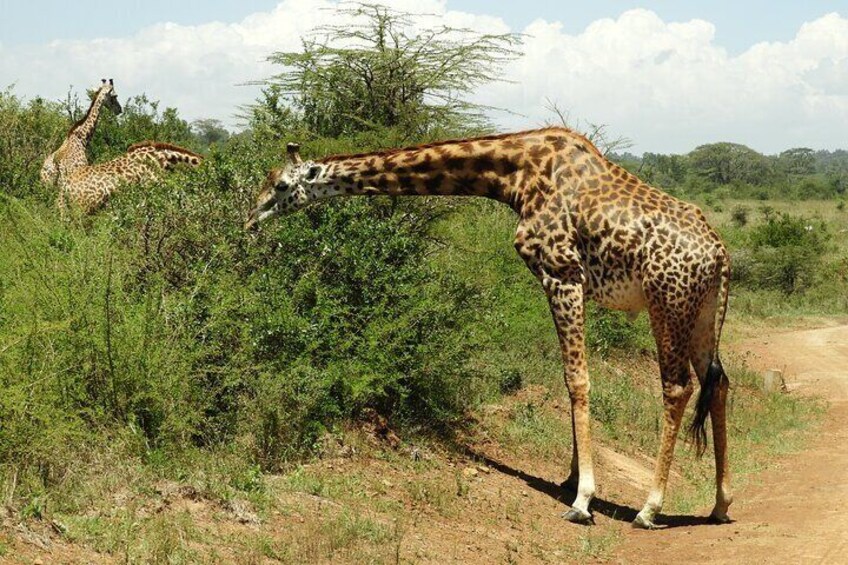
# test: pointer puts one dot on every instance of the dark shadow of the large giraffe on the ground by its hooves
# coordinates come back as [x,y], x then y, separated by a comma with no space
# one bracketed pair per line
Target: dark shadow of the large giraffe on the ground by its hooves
[561,493]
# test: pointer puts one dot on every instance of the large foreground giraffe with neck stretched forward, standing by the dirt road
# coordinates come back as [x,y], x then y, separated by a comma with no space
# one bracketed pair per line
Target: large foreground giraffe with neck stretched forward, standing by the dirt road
[588,229]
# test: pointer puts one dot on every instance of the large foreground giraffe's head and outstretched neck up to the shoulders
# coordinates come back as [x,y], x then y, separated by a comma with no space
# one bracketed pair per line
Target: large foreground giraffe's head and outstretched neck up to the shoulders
[520,169]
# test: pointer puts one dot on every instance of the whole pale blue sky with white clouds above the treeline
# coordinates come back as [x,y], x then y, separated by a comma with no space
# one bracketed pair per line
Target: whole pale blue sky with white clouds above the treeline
[667,74]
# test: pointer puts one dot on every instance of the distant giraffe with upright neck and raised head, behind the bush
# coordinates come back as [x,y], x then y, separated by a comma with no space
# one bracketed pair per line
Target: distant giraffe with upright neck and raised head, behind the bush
[71,154]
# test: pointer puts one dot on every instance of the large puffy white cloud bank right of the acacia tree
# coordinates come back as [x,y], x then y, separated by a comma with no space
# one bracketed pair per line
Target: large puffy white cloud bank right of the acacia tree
[669,87]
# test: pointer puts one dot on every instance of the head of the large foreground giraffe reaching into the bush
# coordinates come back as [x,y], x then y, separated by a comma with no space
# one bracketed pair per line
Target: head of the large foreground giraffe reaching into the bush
[288,189]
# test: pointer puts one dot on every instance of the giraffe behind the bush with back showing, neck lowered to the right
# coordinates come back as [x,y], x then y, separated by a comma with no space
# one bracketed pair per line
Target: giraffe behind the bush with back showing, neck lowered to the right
[89,187]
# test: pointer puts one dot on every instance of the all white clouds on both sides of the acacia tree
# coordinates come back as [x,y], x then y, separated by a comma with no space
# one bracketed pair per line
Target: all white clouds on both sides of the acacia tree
[666,85]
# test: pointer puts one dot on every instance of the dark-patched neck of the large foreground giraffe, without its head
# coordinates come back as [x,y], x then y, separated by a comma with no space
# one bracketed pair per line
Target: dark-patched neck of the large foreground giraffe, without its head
[463,168]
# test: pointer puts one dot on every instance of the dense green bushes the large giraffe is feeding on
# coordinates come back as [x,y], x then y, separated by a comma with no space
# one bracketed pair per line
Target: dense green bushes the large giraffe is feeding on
[161,317]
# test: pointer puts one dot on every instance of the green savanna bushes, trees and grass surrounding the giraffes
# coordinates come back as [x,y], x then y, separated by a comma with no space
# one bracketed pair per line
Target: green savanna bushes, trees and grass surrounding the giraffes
[157,343]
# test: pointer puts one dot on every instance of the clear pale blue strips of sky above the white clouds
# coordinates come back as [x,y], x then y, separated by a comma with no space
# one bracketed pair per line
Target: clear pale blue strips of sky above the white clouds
[739,24]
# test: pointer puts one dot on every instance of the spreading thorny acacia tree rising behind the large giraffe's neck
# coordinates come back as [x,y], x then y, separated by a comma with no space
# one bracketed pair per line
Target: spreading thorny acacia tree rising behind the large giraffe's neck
[388,69]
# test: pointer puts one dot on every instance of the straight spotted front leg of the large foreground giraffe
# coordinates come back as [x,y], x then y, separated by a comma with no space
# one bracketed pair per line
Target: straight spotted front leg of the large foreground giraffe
[566,300]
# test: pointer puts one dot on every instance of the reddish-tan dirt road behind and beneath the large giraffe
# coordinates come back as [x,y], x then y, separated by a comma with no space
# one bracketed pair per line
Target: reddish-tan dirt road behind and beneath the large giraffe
[796,512]
